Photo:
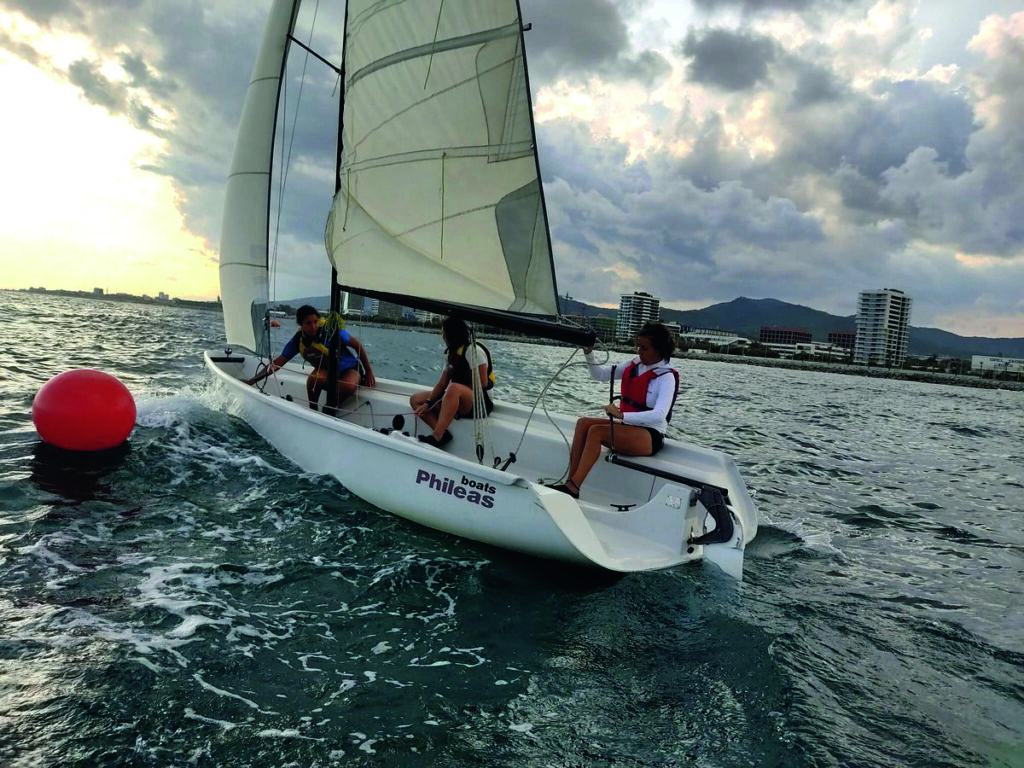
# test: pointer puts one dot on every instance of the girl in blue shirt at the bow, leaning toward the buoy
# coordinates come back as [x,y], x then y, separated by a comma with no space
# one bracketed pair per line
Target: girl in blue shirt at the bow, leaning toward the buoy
[311,343]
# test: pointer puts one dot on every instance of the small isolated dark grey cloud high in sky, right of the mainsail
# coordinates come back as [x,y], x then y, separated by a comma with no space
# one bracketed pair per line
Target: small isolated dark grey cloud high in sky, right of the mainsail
[727,60]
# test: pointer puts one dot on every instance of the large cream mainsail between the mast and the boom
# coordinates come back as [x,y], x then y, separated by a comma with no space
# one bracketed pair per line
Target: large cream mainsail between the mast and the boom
[440,191]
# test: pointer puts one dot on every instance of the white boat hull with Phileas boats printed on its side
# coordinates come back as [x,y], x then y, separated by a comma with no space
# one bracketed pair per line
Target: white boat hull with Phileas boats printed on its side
[448,490]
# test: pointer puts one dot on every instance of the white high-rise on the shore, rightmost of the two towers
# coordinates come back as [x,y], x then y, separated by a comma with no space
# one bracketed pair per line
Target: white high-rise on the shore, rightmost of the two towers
[883,328]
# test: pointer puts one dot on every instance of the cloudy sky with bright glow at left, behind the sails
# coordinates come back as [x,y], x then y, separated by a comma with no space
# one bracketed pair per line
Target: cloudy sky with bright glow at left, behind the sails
[699,150]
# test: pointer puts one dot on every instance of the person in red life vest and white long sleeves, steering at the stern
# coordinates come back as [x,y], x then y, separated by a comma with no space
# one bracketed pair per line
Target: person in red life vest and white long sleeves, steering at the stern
[649,393]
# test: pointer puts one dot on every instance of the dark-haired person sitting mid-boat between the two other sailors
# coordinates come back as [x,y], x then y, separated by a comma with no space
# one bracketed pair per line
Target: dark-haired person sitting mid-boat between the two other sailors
[452,397]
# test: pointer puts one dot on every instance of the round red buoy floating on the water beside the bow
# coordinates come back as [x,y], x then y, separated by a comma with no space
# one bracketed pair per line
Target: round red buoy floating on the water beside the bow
[84,410]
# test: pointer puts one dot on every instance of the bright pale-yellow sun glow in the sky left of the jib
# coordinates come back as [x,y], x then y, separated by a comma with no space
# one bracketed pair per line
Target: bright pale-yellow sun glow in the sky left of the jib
[80,210]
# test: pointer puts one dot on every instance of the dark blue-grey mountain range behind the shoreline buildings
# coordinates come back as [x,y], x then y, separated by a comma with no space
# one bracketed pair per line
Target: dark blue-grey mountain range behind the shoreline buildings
[747,317]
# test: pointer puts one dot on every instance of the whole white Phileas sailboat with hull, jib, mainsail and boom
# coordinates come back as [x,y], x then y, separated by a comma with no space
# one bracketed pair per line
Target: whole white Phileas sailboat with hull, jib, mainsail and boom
[439,206]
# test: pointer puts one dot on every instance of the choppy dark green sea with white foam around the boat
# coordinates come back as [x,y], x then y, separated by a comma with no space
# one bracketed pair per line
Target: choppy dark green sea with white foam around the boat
[198,601]
